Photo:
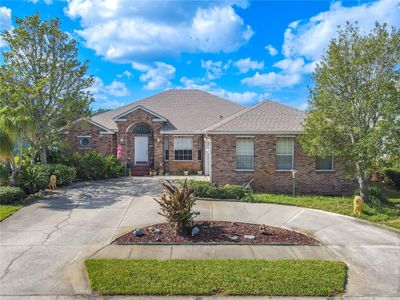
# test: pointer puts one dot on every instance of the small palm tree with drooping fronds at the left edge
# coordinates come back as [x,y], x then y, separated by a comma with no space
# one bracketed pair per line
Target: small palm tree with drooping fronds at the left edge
[15,127]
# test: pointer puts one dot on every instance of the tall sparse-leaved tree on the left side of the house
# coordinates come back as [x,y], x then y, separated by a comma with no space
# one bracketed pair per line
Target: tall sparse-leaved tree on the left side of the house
[42,72]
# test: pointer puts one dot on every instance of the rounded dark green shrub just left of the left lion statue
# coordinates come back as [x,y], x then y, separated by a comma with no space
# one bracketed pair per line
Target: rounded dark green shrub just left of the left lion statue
[32,179]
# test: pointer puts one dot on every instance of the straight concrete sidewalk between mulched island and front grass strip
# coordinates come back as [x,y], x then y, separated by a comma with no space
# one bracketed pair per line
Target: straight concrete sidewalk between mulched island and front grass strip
[213,251]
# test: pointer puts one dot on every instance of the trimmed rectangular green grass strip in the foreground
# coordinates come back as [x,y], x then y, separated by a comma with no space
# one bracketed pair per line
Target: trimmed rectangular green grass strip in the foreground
[217,277]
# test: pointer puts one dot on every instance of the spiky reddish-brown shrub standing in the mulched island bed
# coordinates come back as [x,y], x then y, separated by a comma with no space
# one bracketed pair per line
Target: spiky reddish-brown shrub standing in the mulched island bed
[176,205]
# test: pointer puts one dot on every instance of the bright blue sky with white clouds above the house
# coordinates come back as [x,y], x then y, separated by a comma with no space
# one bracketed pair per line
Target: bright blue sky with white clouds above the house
[241,50]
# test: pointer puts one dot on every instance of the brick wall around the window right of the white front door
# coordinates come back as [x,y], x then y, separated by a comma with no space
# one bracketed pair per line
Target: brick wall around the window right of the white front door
[176,166]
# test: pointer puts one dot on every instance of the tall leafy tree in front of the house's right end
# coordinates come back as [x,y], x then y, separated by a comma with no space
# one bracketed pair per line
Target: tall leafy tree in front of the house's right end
[354,107]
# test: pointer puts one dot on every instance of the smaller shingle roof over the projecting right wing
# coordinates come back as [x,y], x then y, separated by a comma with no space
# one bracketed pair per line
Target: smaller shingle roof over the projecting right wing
[265,117]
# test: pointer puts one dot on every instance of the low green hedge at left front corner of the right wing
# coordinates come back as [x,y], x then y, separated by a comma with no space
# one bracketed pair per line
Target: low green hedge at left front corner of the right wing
[205,189]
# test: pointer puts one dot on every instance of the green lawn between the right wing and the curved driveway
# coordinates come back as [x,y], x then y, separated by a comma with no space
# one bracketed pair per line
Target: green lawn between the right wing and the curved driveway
[388,214]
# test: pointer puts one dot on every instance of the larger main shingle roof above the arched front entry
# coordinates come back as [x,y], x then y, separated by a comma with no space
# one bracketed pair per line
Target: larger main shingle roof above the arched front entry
[186,110]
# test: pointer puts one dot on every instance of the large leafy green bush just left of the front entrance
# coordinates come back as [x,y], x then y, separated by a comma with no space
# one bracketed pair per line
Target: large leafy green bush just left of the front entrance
[93,166]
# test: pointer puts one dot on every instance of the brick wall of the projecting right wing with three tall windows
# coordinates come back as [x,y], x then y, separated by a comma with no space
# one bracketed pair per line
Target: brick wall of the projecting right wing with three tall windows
[266,178]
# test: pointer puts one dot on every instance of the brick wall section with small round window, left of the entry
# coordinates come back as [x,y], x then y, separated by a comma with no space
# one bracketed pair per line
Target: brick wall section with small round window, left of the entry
[103,143]
